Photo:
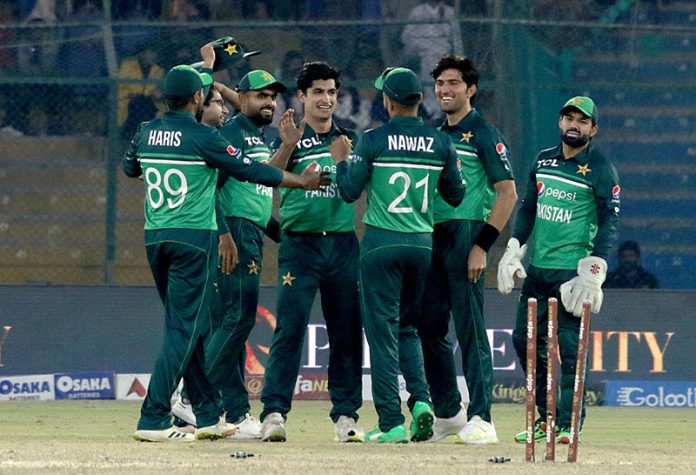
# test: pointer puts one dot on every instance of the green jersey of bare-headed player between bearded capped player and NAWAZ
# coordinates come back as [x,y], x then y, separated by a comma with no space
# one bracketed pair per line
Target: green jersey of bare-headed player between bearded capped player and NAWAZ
[320,210]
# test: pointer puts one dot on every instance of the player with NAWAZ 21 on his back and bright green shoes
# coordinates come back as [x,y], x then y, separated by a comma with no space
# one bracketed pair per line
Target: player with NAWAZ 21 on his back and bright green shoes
[401,165]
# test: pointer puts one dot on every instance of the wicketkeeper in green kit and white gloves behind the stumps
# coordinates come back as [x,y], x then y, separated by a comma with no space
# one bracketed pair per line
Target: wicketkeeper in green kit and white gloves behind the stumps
[571,206]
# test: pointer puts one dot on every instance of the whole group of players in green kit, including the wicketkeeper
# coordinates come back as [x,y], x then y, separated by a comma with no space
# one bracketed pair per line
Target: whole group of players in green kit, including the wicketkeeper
[437,200]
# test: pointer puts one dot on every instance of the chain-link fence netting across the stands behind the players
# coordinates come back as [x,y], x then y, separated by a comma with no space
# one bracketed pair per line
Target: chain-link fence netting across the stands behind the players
[72,94]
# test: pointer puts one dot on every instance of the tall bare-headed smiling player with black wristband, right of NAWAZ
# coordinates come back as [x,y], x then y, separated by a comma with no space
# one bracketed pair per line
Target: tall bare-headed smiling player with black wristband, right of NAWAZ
[461,241]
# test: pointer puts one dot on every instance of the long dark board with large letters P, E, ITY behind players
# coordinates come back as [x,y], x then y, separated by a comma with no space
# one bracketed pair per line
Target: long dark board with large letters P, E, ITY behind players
[642,335]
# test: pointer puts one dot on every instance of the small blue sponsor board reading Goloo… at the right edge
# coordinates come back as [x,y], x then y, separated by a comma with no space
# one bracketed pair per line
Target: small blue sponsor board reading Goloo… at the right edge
[650,393]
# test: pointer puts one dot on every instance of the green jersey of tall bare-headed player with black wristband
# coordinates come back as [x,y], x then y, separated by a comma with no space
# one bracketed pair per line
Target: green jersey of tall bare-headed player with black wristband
[483,158]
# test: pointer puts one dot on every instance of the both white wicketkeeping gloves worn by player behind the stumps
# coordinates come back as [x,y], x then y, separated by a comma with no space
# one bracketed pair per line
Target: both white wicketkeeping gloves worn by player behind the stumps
[585,287]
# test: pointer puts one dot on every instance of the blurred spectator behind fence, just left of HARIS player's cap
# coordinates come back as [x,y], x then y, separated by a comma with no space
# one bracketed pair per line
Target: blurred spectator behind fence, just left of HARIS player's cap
[137,101]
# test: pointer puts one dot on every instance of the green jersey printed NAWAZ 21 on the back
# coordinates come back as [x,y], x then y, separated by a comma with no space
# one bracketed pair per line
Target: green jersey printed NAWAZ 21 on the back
[402,164]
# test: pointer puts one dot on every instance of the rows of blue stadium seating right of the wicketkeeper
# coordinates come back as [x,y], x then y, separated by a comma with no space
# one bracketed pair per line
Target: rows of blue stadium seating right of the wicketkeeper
[647,119]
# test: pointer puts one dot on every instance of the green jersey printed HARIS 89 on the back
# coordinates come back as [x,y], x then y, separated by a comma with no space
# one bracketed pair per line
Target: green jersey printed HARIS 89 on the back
[178,159]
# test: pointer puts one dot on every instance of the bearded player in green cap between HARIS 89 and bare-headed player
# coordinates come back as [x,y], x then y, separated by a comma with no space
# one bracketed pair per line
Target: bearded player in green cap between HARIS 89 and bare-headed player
[247,210]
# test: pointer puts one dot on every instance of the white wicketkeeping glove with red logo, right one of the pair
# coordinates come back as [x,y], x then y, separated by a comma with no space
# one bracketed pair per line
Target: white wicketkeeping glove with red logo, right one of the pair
[586,287]
